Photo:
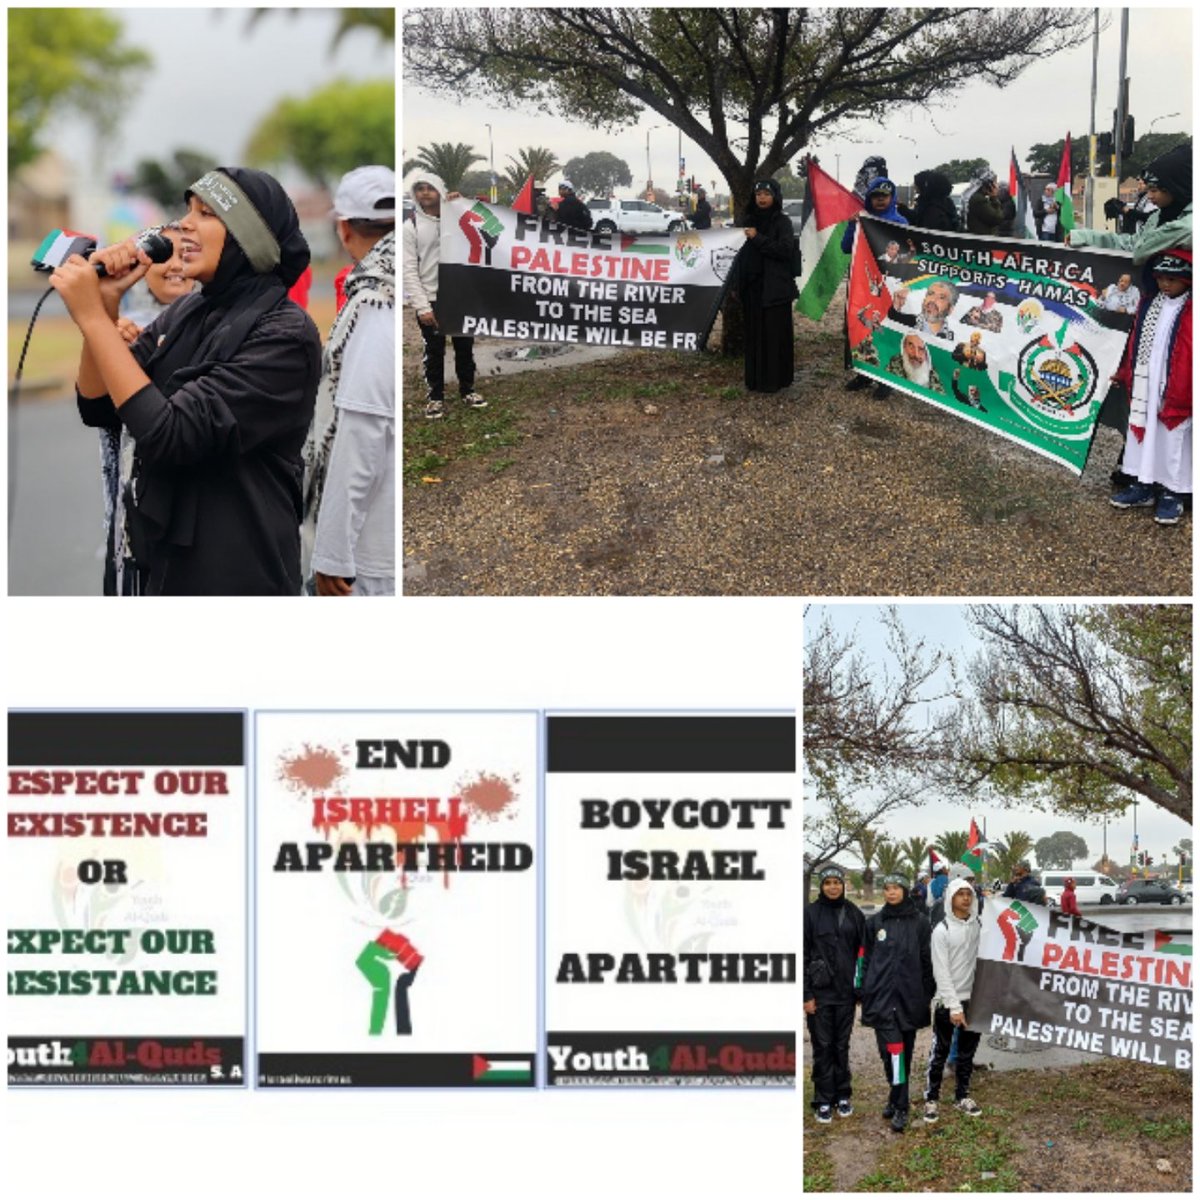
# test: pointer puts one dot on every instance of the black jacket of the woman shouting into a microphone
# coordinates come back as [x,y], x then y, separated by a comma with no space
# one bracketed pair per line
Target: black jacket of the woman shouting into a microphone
[227,442]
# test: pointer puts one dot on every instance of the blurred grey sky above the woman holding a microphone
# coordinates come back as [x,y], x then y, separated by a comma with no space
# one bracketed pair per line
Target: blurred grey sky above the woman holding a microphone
[213,80]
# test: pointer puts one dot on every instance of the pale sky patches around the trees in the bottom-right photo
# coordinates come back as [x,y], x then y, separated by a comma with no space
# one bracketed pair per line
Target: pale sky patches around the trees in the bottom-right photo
[944,626]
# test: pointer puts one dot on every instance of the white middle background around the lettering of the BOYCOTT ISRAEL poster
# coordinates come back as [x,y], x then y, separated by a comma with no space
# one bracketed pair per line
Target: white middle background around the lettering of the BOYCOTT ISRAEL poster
[587,913]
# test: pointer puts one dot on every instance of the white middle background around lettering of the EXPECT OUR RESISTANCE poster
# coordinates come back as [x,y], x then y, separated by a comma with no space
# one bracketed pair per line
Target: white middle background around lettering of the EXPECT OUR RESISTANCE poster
[194,884]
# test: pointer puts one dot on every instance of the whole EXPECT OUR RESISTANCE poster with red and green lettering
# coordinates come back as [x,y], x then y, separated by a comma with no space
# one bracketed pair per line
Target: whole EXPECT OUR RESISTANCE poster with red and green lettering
[125,899]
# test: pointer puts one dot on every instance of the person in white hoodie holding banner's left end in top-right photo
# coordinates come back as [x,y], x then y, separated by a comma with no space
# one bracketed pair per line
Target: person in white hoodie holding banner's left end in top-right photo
[423,256]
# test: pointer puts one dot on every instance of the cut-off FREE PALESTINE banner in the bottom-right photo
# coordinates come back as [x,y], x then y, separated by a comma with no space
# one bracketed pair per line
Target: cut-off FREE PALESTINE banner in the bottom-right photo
[1048,980]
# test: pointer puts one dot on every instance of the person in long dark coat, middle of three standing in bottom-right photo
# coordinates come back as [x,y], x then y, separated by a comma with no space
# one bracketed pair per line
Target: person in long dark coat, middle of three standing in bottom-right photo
[898,986]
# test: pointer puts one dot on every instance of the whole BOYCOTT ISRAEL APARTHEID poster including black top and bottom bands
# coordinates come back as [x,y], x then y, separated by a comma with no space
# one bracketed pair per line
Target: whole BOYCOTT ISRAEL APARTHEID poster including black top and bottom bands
[673,899]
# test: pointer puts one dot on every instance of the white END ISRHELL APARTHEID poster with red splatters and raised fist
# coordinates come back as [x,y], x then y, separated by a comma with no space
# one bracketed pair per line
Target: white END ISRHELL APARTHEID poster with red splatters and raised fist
[398,899]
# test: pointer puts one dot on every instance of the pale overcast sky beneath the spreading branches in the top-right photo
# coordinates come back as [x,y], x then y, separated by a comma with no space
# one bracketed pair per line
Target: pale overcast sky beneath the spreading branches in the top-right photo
[980,121]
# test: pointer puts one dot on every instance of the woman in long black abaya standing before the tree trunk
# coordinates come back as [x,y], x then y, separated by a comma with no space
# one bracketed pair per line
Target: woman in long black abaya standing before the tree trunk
[767,289]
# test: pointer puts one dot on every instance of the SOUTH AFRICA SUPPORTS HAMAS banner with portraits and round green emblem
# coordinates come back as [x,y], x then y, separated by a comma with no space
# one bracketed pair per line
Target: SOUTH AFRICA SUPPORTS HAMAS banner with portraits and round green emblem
[1012,335]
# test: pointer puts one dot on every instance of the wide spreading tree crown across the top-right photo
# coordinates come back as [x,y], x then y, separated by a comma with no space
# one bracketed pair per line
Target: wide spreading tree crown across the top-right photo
[751,87]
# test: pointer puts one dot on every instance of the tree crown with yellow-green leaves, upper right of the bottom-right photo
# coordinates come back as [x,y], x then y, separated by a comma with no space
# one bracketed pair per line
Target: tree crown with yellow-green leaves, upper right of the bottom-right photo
[1077,710]
